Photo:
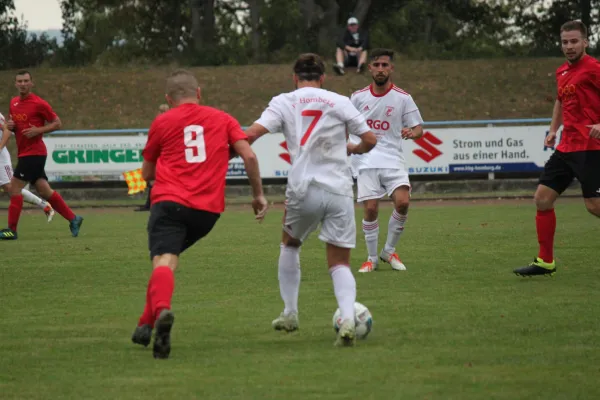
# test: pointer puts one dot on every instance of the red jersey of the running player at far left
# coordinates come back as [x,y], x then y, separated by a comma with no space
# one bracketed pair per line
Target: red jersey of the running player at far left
[27,112]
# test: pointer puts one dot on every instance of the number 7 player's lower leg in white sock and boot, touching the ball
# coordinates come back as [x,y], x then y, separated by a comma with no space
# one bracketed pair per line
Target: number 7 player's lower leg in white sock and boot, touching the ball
[344,287]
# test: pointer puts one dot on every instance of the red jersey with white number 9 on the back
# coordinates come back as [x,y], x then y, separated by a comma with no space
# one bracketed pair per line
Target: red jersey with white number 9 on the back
[190,146]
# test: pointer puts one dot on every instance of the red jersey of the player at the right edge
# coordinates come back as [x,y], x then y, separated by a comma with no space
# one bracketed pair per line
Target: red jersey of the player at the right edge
[579,94]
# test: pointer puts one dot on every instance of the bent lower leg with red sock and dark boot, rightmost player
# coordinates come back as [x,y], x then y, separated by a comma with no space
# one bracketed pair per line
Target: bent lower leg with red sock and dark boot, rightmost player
[545,223]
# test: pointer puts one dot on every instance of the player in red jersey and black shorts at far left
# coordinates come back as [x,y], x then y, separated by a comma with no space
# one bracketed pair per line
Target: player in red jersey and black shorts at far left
[30,118]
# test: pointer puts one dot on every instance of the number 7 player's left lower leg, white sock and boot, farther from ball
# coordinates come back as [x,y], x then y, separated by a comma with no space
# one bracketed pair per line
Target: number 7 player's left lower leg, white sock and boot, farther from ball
[289,288]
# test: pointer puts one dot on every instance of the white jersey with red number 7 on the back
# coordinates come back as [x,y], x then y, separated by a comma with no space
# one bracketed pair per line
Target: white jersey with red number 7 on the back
[314,122]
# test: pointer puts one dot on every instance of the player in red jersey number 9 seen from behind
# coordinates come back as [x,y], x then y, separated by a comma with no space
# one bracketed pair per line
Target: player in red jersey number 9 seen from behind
[187,156]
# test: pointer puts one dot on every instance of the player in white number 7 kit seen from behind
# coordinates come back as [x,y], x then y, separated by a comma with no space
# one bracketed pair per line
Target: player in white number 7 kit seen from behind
[315,123]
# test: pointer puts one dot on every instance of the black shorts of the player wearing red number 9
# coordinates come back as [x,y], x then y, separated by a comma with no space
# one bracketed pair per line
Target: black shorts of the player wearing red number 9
[172,228]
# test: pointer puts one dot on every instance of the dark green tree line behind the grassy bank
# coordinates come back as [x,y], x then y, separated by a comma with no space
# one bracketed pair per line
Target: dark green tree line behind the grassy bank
[236,32]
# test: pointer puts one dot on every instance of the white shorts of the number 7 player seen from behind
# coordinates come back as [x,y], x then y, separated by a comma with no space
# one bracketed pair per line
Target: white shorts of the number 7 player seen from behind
[334,212]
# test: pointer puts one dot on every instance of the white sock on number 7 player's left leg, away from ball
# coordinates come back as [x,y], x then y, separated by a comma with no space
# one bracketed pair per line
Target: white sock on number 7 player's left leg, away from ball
[289,277]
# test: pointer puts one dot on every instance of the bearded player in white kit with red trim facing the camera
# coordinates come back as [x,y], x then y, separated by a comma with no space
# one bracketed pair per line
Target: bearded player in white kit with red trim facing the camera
[393,116]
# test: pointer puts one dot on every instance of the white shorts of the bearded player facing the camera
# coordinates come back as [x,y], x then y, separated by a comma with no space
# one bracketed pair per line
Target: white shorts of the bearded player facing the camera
[374,183]
